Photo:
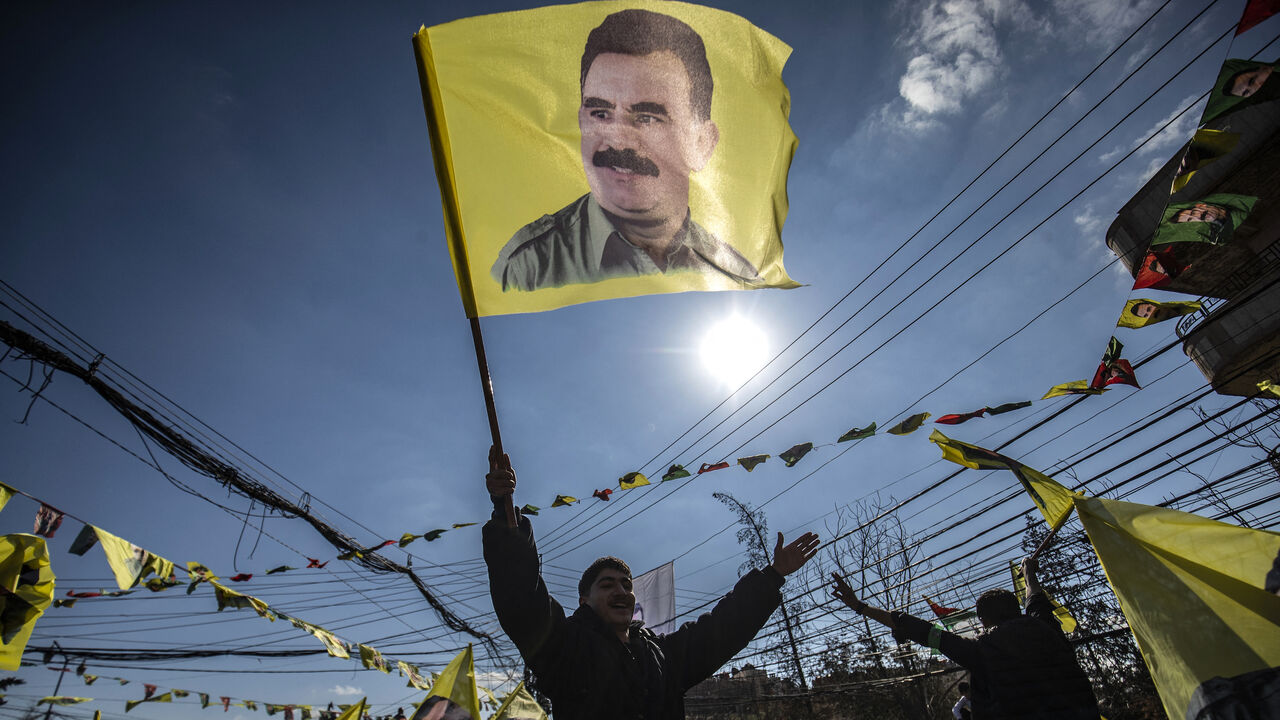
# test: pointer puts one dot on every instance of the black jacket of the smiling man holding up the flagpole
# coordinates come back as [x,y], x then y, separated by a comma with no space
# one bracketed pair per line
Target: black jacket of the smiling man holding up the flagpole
[580,663]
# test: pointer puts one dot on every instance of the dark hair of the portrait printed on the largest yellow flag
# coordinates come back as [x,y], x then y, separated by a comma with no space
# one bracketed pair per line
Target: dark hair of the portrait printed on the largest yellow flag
[641,33]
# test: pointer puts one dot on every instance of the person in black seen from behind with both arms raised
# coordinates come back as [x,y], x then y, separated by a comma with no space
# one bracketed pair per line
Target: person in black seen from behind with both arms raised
[1023,667]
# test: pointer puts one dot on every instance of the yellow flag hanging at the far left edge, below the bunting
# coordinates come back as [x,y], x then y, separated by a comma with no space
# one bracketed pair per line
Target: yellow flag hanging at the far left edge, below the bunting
[28,582]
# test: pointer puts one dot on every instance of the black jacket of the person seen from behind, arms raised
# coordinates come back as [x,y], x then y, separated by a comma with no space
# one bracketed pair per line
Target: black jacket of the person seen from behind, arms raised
[1023,669]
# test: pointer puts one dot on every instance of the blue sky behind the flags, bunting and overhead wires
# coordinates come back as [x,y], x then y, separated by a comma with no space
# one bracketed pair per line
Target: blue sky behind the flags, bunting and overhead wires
[239,207]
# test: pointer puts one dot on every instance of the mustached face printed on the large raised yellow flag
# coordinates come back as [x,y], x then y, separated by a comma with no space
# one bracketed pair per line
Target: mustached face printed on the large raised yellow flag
[641,138]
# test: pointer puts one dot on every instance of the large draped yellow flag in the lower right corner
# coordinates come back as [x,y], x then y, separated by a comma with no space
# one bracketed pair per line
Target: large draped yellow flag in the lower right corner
[1192,591]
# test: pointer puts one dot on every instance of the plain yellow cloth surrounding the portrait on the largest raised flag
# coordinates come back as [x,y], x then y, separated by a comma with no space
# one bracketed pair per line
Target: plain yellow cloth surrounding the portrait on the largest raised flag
[502,101]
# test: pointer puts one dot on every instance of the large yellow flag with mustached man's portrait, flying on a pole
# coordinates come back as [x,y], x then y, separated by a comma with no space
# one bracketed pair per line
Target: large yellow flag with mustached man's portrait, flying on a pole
[607,151]
